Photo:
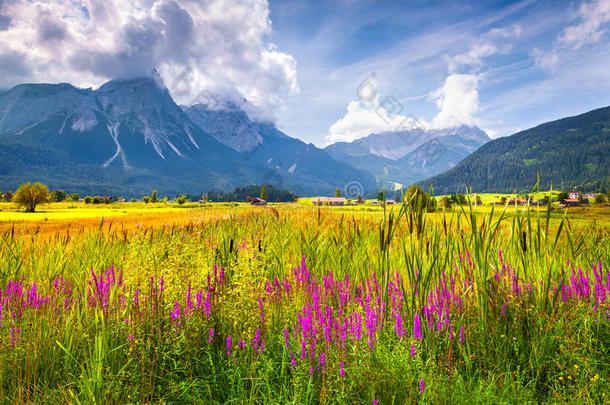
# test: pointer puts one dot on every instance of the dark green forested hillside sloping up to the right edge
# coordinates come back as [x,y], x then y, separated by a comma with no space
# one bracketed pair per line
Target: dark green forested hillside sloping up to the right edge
[566,152]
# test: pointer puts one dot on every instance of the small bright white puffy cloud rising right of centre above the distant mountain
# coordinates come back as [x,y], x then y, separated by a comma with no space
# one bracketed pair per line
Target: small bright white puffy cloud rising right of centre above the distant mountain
[458,100]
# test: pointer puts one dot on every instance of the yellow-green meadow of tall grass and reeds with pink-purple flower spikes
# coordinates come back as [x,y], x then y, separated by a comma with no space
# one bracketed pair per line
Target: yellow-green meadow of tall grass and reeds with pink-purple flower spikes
[294,304]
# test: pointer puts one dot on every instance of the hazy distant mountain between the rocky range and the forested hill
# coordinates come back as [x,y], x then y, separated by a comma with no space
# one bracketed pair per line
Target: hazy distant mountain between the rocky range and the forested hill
[406,157]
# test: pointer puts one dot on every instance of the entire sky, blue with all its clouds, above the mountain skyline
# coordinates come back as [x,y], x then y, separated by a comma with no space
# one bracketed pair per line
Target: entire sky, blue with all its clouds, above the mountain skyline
[329,71]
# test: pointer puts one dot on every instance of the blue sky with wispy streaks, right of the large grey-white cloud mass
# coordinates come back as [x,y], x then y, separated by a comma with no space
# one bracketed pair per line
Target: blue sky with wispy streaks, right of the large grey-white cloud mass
[529,74]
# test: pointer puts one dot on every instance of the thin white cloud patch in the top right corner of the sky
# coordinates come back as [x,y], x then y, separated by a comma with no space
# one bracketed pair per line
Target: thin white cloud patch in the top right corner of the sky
[594,16]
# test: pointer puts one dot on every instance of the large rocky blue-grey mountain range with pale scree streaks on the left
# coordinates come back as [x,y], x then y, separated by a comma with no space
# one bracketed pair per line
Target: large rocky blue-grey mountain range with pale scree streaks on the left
[129,137]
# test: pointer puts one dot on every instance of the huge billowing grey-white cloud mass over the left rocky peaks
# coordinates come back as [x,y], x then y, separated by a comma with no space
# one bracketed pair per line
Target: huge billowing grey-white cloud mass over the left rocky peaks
[195,46]
